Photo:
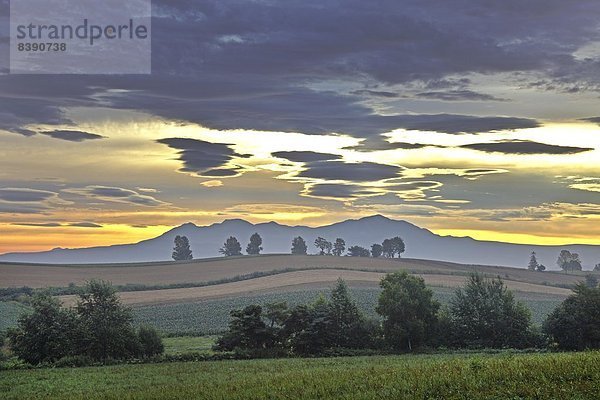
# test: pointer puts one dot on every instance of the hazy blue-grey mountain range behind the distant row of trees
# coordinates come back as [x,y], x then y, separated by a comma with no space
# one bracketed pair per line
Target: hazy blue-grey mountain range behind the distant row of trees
[420,243]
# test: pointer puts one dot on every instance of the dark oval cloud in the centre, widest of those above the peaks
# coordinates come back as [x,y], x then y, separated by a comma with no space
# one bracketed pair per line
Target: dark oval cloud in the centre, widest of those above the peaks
[360,172]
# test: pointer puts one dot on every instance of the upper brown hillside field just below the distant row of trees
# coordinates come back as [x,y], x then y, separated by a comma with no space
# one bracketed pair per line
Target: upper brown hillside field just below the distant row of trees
[40,275]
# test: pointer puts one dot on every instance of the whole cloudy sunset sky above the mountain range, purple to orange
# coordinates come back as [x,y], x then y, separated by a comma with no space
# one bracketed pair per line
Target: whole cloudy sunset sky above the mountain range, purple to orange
[467,117]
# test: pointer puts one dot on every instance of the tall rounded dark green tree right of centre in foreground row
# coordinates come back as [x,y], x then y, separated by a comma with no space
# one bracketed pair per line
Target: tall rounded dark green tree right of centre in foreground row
[408,310]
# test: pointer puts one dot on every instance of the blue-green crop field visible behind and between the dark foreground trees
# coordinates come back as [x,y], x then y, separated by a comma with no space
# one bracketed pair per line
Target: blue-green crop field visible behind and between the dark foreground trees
[212,316]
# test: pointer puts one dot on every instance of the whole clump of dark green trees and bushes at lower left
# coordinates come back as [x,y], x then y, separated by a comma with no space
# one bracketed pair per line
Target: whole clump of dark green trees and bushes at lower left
[99,328]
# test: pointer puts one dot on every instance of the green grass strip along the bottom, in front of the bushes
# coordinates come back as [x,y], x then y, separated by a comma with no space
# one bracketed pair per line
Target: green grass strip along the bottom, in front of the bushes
[504,376]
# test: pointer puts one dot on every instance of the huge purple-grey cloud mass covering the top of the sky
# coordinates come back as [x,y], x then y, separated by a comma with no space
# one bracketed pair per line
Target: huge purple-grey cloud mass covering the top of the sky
[256,65]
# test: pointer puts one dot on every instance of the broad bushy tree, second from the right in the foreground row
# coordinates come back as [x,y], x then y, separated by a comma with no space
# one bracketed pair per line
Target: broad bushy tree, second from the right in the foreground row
[485,314]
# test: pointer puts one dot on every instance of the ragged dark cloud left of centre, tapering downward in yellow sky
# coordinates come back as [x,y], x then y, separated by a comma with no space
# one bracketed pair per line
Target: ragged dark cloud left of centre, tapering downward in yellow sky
[203,158]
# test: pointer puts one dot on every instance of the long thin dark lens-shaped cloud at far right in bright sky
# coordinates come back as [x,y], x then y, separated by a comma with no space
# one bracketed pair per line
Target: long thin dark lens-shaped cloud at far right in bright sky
[524,147]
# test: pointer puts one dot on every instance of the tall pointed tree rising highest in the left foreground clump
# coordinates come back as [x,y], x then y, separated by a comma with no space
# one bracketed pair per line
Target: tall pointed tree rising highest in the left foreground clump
[104,325]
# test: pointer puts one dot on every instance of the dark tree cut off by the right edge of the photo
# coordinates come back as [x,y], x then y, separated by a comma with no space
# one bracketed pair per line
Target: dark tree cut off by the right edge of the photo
[575,324]
